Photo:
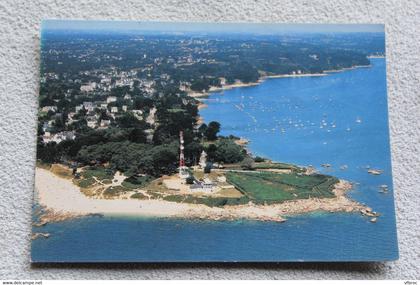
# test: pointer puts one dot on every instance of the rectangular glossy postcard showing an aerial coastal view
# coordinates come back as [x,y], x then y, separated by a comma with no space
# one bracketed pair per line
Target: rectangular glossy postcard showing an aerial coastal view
[212,142]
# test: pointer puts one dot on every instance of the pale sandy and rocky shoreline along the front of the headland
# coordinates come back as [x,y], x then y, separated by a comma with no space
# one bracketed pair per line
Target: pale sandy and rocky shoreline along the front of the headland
[63,200]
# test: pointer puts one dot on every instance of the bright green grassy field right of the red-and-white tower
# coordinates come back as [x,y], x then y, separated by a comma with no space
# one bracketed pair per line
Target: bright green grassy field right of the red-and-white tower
[266,187]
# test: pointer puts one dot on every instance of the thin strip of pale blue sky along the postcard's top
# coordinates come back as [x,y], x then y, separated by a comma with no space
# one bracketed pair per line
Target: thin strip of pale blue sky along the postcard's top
[180,27]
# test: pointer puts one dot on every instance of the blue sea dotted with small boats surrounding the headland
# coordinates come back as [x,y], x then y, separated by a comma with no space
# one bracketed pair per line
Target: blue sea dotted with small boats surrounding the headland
[340,119]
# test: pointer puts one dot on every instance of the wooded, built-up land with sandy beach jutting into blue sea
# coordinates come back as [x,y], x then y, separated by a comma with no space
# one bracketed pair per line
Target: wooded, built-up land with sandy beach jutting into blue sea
[119,134]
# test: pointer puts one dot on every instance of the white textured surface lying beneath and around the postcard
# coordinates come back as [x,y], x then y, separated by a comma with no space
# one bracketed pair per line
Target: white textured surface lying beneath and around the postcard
[19,63]
